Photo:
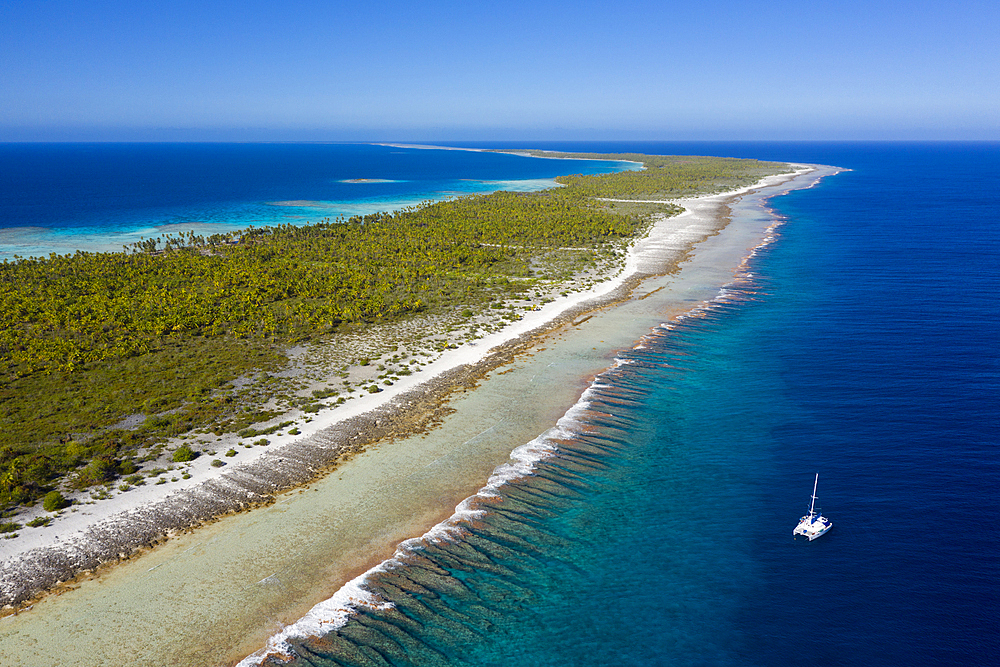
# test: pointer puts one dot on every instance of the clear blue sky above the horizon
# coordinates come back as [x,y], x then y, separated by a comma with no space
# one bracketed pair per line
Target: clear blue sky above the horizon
[388,70]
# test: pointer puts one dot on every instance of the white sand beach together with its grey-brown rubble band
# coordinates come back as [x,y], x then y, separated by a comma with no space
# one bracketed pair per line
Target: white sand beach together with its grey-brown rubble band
[130,523]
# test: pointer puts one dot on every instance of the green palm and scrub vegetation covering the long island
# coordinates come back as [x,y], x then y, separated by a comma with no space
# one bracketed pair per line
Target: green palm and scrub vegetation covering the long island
[105,355]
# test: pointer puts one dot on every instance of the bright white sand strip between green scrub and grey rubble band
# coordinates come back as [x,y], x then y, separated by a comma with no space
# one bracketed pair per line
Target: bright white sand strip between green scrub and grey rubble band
[70,527]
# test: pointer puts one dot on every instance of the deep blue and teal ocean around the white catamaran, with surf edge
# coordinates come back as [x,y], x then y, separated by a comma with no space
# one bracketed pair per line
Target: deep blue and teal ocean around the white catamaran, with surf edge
[653,525]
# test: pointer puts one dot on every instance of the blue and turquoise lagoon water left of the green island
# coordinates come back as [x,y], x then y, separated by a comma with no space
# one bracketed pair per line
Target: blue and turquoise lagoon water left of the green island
[66,197]
